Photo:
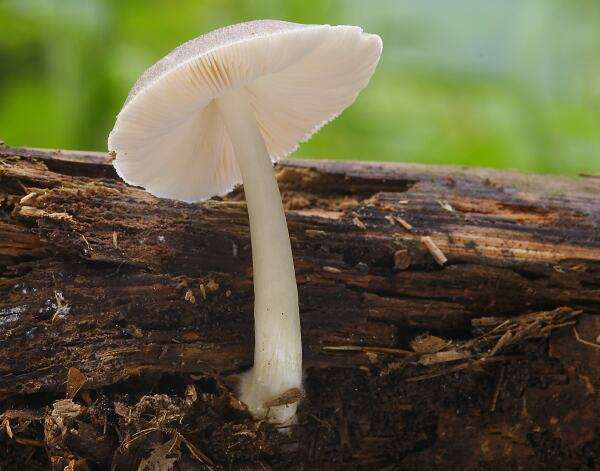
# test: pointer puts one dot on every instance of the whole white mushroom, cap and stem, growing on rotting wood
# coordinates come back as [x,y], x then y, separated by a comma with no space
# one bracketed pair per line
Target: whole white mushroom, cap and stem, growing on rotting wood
[219,110]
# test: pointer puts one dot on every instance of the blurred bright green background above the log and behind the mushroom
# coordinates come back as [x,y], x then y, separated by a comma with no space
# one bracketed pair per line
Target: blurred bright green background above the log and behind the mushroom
[500,83]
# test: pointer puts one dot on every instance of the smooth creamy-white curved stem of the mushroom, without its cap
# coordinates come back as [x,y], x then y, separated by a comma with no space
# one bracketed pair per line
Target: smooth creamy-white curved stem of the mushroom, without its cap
[278,346]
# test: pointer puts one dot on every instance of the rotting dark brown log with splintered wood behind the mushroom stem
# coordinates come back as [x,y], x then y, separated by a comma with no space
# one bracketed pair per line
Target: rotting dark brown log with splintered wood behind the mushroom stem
[450,318]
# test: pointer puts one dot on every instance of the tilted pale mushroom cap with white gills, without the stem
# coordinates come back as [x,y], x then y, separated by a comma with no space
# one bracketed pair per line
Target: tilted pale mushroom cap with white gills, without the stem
[170,138]
